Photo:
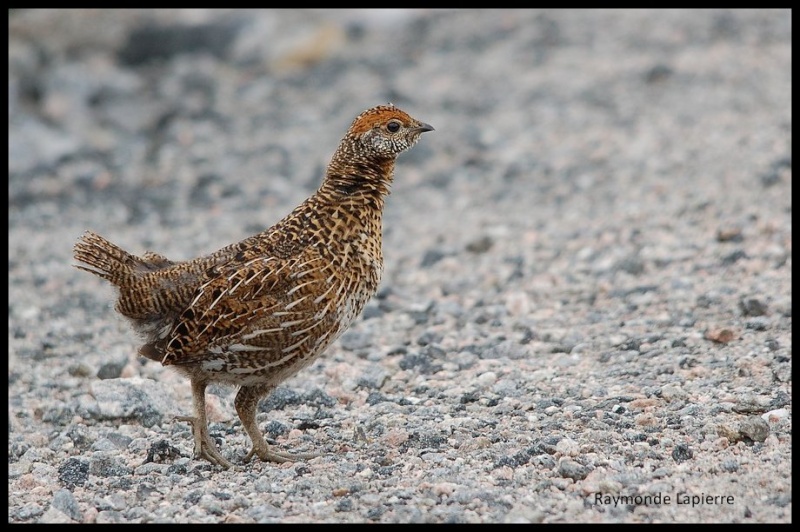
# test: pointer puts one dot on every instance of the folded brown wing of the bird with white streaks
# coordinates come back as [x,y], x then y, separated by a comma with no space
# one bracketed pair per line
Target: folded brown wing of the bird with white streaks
[246,306]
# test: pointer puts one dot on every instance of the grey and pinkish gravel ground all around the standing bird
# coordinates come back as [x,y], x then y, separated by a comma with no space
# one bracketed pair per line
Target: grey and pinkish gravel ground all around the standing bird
[586,310]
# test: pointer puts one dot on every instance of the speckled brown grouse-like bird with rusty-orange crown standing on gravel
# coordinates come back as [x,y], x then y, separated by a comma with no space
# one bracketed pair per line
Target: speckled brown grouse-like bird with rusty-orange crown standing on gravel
[256,312]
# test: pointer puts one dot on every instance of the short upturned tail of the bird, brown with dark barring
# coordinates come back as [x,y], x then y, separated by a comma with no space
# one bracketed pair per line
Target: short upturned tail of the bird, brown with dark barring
[105,259]
